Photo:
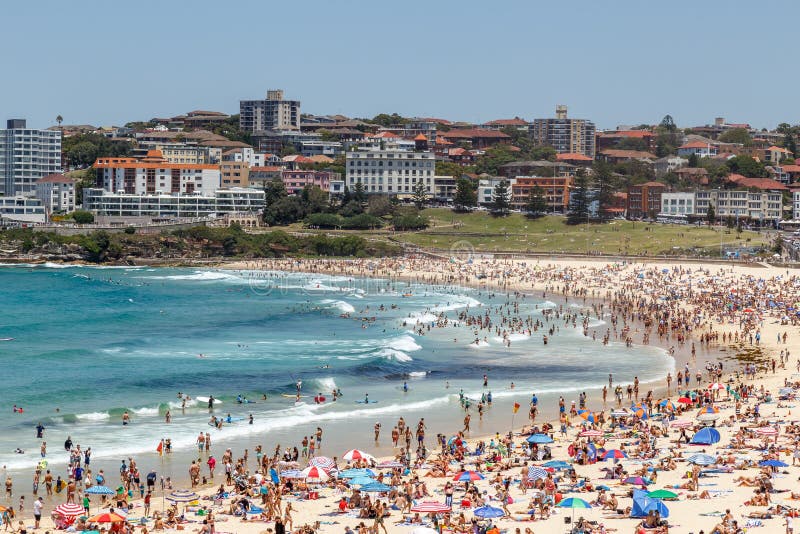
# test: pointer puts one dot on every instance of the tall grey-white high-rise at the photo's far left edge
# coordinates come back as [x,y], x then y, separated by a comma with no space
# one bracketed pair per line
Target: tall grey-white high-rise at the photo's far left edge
[26,155]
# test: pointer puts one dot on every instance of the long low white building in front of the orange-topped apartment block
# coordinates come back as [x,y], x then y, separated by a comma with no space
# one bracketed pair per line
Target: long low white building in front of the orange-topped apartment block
[130,206]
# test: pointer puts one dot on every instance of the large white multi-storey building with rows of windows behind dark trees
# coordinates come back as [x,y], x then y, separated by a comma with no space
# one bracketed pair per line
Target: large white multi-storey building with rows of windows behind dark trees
[392,172]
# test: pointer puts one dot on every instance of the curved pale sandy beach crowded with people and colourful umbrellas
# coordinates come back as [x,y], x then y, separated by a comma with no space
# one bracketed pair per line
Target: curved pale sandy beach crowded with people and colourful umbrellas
[743,315]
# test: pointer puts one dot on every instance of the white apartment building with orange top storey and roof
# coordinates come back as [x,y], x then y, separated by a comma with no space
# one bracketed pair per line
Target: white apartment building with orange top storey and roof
[153,174]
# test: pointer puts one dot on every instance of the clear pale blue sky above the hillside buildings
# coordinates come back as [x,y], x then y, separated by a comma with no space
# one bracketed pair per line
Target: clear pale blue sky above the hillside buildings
[615,62]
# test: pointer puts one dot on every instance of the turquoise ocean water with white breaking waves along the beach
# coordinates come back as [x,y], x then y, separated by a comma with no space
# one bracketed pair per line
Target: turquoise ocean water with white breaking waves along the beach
[90,343]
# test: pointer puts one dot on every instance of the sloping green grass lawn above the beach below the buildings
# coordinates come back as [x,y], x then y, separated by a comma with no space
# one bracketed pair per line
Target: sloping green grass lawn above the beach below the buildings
[550,234]
